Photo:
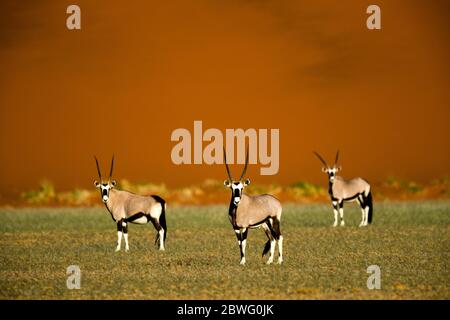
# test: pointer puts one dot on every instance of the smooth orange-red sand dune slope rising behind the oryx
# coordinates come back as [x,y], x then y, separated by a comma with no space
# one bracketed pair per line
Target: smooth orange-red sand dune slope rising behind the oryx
[139,69]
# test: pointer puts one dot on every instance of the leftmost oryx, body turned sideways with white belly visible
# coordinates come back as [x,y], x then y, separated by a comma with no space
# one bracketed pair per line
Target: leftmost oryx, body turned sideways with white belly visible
[126,207]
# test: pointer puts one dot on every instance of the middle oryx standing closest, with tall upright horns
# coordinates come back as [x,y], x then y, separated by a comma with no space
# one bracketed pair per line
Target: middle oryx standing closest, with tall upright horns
[247,212]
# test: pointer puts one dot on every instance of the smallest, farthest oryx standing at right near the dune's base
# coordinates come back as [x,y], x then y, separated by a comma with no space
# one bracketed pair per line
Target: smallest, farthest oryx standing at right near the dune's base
[341,191]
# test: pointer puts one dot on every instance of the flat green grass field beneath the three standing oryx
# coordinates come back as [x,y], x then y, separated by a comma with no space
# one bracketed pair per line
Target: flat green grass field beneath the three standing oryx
[409,241]
